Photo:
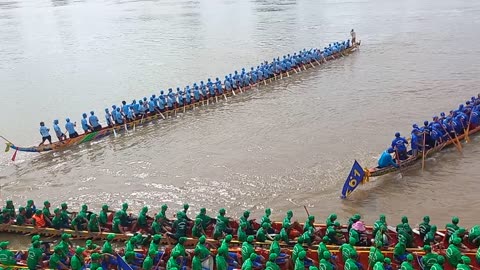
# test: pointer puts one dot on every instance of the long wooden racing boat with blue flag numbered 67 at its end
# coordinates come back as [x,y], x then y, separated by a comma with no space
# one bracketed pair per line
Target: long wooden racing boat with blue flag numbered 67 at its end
[359,175]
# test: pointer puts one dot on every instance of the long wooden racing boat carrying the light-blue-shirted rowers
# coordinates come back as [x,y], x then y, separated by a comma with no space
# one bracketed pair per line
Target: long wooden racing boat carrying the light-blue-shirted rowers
[108,131]
